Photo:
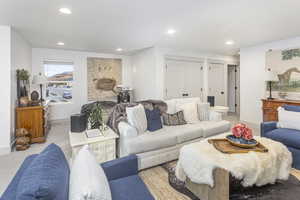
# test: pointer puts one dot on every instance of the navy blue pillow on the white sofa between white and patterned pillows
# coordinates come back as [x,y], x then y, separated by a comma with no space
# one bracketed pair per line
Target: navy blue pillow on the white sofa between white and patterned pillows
[153,119]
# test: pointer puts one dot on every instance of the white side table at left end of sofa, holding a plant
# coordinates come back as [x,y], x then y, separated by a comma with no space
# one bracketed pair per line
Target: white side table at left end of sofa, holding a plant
[104,147]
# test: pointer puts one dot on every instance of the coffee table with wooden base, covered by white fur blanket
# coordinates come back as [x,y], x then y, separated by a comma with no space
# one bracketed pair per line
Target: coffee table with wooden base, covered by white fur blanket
[198,161]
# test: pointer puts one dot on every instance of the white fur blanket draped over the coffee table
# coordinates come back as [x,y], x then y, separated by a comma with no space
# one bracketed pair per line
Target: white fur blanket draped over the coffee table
[198,160]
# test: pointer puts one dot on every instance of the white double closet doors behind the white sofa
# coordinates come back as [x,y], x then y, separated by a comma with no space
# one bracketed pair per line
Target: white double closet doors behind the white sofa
[183,79]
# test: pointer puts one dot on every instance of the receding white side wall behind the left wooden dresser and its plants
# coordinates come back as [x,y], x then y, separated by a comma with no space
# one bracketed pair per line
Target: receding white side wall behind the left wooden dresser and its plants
[20,59]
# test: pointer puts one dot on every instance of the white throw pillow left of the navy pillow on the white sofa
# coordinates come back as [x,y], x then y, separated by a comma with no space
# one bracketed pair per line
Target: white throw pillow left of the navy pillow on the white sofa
[136,117]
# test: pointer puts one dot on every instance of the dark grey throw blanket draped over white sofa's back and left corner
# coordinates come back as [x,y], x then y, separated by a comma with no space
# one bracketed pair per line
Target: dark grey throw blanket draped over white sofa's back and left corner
[118,113]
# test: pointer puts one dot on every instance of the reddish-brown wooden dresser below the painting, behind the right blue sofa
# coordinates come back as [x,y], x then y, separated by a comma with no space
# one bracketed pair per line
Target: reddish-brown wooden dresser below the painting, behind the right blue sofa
[269,108]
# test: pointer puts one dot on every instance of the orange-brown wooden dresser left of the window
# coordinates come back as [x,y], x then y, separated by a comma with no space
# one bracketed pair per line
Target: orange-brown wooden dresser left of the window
[36,120]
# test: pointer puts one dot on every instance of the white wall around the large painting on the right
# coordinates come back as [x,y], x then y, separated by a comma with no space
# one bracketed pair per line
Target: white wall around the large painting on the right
[252,84]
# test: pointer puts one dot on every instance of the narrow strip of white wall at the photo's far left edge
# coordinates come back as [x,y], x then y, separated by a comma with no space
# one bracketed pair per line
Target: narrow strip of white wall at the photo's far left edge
[5,82]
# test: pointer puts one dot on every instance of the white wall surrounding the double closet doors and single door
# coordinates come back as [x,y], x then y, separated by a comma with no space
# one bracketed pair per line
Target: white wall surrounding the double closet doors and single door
[151,64]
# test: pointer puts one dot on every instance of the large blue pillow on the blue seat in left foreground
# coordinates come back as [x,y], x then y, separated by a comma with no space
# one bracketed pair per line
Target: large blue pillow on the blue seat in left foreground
[47,177]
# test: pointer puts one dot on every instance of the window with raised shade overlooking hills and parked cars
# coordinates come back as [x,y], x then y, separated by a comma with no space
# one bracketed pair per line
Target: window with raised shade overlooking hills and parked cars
[60,81]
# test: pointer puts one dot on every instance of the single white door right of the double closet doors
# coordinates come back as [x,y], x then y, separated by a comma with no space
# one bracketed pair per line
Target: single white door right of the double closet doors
[216,83]
